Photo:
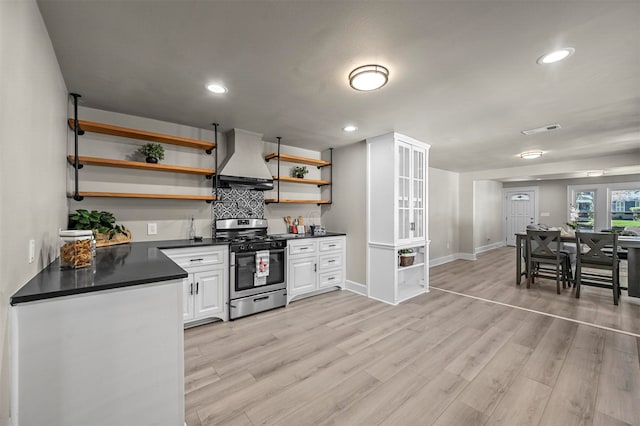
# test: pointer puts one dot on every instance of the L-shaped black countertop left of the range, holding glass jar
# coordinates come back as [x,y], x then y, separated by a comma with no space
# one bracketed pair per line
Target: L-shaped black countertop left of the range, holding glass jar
[114,267]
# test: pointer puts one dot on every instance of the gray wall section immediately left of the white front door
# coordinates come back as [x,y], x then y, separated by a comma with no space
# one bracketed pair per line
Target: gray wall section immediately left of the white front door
[487,214]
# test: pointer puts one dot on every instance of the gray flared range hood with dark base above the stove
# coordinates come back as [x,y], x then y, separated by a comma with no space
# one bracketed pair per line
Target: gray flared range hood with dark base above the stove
[244,166]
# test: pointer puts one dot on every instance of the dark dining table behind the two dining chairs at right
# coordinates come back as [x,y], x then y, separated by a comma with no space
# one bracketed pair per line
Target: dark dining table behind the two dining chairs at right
[632,244]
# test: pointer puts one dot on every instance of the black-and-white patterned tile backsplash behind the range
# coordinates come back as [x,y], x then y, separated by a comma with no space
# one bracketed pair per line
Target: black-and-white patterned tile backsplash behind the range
[238,203]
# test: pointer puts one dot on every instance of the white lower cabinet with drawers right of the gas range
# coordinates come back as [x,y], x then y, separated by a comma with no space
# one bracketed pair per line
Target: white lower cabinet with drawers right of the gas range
[315,264]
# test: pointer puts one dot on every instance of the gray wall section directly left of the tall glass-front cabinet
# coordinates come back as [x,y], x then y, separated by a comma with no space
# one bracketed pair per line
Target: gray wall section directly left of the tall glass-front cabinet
[348,211]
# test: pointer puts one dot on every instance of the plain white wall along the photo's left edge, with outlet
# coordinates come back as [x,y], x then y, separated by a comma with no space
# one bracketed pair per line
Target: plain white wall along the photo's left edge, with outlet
[33,108]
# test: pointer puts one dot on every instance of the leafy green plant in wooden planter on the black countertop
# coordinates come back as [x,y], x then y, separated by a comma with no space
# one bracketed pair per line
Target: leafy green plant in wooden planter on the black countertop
[103,224]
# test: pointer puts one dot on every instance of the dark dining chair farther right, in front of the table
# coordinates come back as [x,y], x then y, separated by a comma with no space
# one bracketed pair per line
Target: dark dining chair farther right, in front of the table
[598,250]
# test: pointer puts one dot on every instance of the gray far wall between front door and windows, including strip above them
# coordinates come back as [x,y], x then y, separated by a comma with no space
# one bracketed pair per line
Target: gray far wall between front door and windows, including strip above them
[553,194]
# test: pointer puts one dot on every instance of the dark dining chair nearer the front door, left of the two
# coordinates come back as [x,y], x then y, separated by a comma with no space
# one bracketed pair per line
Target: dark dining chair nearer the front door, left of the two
[544,248]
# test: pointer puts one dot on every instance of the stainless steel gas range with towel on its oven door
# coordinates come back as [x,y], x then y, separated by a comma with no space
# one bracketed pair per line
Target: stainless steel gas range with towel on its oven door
[249,292]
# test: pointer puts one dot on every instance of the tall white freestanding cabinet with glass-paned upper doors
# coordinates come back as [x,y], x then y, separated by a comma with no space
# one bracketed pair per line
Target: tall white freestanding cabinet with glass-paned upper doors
[397,208]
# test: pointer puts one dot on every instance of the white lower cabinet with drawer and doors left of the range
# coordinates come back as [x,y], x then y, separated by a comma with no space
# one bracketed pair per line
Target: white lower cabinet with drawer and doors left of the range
[205,290]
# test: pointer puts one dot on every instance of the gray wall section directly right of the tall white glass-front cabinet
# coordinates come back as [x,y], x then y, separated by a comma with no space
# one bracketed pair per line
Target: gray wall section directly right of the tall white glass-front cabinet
[444,213]
